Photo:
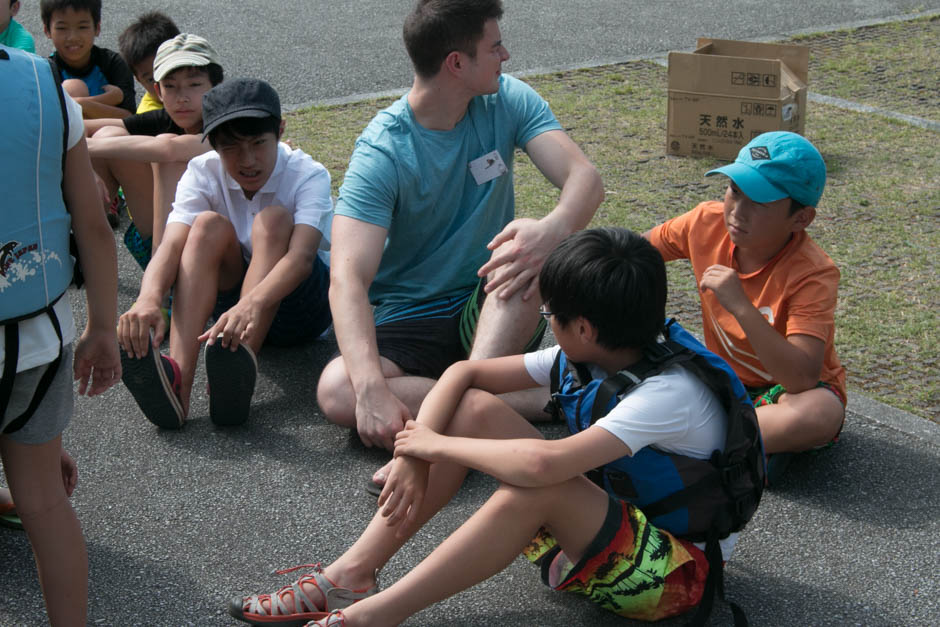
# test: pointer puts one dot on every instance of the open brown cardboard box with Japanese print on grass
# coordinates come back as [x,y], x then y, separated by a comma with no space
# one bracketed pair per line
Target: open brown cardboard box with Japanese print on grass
[728,92]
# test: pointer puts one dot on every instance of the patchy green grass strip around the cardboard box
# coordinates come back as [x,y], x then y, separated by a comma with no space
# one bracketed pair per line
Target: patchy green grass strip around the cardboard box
[878,218]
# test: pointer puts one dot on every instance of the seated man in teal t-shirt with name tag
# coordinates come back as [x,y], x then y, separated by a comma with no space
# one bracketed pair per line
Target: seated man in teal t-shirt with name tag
[426,209]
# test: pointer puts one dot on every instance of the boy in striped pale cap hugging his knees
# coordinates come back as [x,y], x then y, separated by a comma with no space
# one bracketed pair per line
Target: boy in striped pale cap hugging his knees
[145,154]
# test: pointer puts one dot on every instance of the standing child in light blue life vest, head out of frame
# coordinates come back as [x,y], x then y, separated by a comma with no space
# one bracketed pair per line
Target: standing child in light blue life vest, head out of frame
[46,168]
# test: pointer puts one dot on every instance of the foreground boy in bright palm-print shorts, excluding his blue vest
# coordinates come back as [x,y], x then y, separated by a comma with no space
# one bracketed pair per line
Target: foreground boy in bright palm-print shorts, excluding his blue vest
[604,294]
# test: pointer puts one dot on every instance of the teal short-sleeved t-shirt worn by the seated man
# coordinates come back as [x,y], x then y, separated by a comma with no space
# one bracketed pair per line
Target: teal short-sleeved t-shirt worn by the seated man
[417,184]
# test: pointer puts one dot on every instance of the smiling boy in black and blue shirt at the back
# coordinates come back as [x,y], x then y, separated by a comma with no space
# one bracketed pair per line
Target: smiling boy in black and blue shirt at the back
[97,78]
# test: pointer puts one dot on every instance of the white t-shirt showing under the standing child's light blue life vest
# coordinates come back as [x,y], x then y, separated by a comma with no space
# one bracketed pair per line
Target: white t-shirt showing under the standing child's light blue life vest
[38,342]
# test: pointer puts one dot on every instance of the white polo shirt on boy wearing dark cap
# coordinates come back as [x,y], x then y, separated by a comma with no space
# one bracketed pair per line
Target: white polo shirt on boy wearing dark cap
[298,183]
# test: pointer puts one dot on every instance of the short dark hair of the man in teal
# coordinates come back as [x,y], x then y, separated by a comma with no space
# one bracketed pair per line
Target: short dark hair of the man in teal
[435,28]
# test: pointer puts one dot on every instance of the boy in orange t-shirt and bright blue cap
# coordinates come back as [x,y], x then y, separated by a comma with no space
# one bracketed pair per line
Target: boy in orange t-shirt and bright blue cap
[768,292]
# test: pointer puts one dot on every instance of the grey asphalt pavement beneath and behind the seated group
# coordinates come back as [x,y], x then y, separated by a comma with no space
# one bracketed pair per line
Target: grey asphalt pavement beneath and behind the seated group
[178,522]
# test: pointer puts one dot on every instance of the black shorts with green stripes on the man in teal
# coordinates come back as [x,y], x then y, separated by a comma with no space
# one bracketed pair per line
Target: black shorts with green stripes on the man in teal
[426,346]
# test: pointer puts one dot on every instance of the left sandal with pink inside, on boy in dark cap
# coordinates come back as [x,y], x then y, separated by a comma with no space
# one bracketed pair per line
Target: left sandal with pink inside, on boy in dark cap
[154,382]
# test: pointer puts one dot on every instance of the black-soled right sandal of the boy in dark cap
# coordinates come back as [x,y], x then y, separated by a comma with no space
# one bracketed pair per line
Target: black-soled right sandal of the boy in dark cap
[231,379]
